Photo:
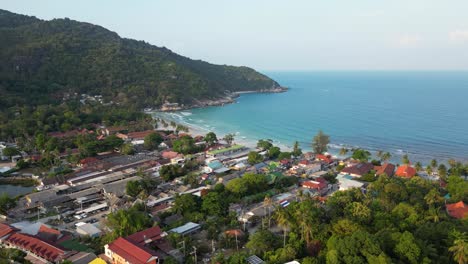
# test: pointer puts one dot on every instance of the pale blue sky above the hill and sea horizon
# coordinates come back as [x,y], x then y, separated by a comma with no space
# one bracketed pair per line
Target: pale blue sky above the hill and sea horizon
[285,35]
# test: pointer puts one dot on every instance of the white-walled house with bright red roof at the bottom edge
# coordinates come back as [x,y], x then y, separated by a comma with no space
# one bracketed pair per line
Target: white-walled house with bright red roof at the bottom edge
[123,251]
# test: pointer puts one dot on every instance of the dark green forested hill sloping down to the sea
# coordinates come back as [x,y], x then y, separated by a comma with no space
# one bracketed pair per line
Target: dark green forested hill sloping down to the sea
[41,61]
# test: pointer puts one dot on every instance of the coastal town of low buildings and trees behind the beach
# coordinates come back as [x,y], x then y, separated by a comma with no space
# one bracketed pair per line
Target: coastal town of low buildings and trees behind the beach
[174,198]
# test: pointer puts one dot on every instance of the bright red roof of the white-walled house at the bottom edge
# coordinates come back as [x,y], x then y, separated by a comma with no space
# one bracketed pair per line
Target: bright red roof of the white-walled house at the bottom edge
[131,252]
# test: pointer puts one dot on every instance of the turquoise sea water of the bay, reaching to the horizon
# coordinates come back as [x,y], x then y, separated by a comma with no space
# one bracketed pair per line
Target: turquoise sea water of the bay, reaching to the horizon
[424,114]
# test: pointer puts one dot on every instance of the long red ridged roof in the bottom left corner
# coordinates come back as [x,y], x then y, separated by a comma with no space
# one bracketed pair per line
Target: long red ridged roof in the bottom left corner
[37,246]
